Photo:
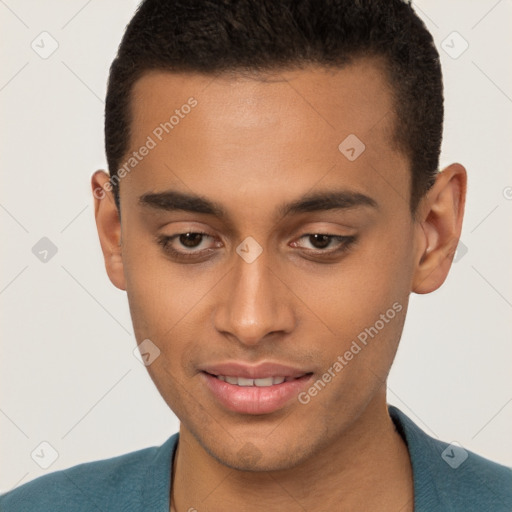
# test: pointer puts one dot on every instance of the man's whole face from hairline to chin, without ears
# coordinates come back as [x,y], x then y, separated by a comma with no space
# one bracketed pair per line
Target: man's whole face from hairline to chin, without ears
[253,247]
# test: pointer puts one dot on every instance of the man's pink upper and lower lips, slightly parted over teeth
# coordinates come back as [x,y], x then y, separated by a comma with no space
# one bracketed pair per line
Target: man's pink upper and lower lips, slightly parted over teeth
[253,399]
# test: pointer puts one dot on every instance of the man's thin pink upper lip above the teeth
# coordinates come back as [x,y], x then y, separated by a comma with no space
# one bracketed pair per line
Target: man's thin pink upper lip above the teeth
[259,371]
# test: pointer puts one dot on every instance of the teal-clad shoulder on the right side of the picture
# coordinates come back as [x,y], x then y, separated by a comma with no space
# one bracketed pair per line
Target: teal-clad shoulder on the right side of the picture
[449,477]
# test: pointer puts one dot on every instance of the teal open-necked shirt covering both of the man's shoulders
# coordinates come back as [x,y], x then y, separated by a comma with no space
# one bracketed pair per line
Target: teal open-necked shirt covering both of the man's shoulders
[446,478]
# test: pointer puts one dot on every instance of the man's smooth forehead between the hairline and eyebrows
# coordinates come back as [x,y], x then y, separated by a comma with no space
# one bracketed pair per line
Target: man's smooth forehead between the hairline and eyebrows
[260,131]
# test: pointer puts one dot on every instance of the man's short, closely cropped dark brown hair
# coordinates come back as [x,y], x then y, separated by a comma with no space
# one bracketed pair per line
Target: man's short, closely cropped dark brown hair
[216,36]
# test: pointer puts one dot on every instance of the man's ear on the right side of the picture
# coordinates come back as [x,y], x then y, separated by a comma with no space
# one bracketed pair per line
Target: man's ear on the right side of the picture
[439,224]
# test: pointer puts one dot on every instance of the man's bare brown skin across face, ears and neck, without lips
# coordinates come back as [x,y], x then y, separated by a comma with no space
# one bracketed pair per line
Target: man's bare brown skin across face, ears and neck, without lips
[252,144]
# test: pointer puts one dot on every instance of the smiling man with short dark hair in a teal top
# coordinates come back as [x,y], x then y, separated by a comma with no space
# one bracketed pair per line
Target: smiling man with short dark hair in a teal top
[273,200]
